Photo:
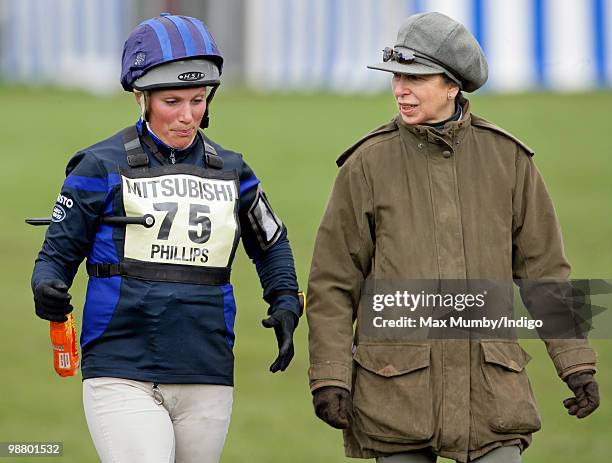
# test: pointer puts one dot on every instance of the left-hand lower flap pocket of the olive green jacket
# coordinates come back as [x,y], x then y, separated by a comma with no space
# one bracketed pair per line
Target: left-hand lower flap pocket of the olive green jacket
[392,397]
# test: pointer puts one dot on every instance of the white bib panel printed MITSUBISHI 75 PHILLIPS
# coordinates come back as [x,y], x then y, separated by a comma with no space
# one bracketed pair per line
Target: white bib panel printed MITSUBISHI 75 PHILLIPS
[195,215]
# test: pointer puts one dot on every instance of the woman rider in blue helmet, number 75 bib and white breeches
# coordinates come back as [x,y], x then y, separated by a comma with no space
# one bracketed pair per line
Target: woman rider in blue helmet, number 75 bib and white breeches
[158,324]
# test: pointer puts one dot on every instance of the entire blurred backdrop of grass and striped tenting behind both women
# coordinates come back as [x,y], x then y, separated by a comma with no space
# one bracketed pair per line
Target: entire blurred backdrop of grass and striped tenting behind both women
[295,94]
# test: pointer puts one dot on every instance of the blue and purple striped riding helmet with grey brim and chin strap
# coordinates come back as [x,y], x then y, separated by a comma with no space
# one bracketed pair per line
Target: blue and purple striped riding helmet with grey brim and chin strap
[171,51]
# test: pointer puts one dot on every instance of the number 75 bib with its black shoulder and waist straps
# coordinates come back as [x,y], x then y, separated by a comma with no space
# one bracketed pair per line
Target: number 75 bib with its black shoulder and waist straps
[181,221]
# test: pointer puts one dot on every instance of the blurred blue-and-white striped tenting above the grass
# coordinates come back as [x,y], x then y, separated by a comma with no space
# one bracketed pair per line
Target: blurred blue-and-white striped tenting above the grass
[310,44]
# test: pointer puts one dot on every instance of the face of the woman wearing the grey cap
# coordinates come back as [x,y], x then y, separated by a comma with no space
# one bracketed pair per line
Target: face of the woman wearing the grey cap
[424,99]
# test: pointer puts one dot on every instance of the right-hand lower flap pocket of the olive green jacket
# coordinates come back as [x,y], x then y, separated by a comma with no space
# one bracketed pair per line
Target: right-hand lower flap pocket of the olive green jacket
[508,393]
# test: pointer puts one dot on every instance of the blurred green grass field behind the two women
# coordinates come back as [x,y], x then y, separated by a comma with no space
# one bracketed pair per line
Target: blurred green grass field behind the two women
[291,142]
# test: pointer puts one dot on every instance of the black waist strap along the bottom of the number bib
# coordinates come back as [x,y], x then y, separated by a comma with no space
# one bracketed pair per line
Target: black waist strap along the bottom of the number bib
[161,272]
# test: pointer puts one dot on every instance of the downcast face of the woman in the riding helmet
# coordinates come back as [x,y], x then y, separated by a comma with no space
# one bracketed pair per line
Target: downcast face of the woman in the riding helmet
[175,114]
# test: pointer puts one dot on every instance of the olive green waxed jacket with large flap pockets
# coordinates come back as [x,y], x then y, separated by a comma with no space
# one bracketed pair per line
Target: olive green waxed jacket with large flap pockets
[409,203]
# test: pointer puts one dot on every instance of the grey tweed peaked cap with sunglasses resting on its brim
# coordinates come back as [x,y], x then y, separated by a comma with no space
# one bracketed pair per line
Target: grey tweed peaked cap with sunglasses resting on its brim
[433,43]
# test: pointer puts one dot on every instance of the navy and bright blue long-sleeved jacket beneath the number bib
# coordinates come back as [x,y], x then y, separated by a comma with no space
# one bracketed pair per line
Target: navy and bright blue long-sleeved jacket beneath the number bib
[164,332]
